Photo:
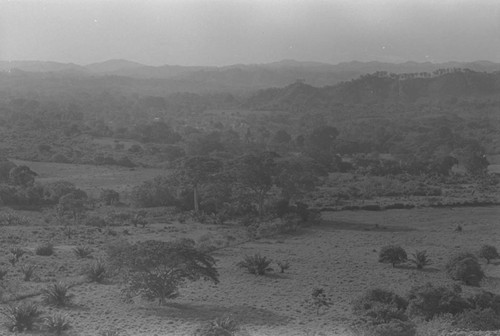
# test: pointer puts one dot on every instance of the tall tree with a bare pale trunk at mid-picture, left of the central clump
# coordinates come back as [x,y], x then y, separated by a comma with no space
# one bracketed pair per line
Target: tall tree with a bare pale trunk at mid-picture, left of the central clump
[197,170]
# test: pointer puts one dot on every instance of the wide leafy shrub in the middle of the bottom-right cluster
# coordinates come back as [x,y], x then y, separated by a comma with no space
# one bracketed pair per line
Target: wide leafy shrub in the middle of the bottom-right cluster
[429,301]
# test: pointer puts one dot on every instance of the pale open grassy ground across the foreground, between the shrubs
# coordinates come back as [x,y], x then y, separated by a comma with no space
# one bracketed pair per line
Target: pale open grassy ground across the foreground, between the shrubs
[340,256]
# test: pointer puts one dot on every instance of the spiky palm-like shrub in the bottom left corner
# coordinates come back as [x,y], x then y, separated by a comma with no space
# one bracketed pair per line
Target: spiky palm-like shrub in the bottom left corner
[22,317]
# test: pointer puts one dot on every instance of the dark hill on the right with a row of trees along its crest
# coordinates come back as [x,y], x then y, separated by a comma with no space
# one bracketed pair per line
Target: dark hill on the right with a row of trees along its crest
[380,88]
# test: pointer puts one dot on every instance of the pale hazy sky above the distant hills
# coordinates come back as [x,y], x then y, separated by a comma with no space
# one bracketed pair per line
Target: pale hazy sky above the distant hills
[223,32]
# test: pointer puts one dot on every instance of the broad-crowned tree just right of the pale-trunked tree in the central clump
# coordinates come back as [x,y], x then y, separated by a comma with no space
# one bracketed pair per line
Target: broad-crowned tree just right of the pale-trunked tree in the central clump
[256,173]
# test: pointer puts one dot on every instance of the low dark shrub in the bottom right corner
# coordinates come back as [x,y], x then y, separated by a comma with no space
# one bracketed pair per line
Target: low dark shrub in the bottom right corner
[478,319]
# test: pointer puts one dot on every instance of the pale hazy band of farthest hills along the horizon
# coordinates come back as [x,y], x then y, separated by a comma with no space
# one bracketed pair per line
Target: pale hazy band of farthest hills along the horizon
[232,78]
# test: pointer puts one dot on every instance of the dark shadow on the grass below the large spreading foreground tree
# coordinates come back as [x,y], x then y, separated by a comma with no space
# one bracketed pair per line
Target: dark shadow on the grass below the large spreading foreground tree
[205,312]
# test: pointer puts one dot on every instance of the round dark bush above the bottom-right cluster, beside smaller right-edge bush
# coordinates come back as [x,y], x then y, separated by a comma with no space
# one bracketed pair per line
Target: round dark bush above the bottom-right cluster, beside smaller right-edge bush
[465,267]
